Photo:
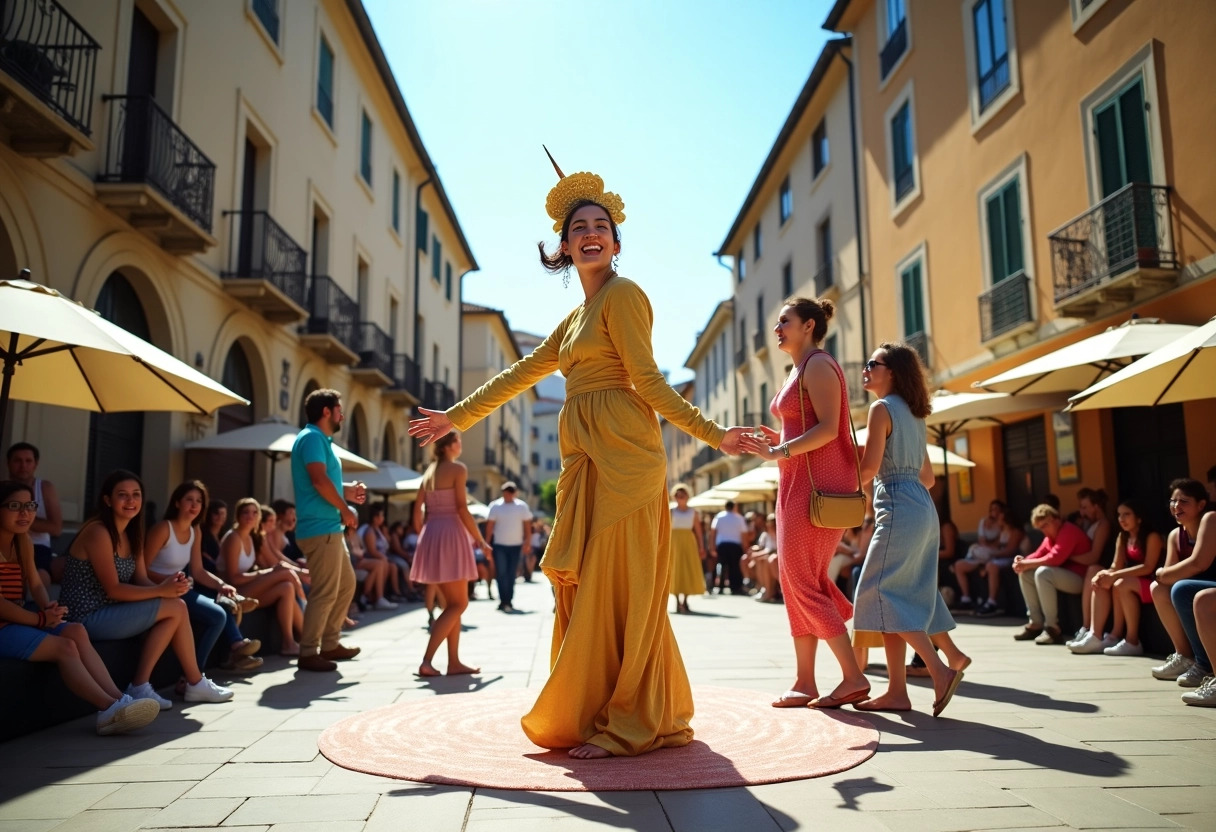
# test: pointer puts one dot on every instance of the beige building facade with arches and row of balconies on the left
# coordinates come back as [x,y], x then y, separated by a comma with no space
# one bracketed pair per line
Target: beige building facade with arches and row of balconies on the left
[243,185]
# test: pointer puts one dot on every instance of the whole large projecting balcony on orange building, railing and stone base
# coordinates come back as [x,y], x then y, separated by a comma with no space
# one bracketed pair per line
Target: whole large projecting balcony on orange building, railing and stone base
[1116,254]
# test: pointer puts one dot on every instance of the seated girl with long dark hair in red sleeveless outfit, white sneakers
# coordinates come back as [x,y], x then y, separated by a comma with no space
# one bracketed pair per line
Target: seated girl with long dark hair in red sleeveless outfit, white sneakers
[1125,587]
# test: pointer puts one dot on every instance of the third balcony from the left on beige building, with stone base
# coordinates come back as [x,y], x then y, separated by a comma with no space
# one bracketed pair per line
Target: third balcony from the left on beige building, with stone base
[268,271]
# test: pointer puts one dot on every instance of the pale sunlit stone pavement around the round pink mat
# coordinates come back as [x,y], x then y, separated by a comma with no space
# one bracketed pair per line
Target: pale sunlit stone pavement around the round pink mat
[1037,739]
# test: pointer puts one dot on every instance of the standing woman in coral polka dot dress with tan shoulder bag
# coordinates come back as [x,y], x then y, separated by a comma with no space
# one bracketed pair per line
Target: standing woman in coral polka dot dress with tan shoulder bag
[817,606]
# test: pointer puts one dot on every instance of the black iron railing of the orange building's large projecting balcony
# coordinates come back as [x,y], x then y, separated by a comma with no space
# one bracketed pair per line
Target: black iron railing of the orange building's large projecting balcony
[1130,229]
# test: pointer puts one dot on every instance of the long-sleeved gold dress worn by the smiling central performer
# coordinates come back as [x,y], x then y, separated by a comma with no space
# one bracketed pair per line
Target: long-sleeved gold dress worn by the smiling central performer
[617,679]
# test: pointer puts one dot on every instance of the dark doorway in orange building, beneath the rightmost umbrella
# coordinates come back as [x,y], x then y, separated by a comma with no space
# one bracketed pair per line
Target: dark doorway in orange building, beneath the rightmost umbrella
[1151,451]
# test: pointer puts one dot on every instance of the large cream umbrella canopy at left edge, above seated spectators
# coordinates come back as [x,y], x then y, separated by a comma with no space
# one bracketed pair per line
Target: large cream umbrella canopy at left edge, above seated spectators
[59,352]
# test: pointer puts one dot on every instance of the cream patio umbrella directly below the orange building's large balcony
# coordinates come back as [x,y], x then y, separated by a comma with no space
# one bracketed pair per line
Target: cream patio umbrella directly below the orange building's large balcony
[1078,367]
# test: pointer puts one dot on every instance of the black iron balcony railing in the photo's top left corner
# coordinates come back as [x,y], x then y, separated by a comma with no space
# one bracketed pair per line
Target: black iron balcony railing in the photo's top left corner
[52,55]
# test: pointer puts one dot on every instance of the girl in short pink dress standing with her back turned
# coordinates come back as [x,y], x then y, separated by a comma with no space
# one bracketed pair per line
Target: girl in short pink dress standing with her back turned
[446,550]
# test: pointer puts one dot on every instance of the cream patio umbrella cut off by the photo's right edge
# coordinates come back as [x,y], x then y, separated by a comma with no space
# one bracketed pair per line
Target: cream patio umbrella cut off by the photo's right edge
[1181,372]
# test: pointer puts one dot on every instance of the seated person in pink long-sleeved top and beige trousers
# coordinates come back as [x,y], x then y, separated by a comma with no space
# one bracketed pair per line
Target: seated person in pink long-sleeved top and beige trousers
[1051,570]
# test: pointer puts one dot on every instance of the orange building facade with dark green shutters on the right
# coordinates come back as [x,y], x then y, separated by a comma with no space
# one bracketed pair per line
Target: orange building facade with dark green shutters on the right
[1033,175]
